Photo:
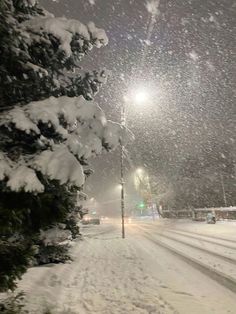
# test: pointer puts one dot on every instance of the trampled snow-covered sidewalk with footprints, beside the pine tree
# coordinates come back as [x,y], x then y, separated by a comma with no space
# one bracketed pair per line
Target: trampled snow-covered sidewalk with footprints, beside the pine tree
[106,276]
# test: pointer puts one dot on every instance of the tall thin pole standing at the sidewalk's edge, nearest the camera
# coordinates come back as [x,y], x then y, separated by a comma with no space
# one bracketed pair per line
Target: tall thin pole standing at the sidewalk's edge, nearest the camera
[122,182]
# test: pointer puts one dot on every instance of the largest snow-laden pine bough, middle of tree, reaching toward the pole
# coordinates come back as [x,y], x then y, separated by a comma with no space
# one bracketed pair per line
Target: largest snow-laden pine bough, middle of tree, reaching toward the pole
[68,130]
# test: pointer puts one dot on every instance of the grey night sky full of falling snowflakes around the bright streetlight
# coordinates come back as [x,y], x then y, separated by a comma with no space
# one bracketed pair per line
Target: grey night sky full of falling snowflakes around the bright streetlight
[189,66]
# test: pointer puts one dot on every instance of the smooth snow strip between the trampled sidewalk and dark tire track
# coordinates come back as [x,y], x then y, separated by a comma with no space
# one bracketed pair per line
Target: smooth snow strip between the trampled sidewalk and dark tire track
[185,287]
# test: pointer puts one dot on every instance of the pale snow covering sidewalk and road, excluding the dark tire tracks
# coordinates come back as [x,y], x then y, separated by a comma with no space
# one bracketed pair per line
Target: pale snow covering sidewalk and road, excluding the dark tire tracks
[110,275]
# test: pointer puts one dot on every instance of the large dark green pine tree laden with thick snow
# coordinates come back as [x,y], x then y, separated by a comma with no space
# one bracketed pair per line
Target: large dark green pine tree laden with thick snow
[48,129]
